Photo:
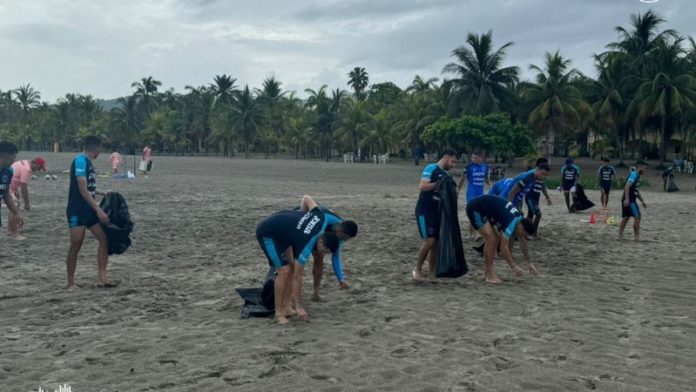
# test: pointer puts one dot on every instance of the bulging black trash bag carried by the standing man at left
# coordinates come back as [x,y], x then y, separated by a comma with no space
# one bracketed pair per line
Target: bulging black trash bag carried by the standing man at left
[120,225]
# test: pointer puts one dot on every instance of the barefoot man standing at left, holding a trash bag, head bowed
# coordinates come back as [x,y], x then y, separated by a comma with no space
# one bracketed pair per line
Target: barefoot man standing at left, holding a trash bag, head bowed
[83,213]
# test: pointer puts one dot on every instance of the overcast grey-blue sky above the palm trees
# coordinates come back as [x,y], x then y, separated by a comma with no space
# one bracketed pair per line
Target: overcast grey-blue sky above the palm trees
[100,47]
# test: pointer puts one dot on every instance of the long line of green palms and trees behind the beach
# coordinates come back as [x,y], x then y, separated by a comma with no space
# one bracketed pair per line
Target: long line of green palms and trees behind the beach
[640,103]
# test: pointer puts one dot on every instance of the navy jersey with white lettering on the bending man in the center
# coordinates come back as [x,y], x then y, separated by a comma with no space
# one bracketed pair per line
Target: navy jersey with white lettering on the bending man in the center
[298,229]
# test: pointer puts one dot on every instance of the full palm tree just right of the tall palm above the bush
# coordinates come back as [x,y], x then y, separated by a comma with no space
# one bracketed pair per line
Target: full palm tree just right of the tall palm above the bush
[558,103]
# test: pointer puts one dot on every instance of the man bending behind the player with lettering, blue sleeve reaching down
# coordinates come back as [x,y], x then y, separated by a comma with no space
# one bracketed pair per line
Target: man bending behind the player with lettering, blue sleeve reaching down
[344,230]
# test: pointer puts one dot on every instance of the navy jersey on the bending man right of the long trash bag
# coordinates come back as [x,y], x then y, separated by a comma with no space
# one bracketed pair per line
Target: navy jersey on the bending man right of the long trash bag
[500,213]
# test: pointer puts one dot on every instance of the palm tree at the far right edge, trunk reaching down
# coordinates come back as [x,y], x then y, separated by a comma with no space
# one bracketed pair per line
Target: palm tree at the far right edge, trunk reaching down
[668,95]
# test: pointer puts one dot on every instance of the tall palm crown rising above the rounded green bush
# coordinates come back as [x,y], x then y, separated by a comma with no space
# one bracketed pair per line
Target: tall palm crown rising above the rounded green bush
[481,85]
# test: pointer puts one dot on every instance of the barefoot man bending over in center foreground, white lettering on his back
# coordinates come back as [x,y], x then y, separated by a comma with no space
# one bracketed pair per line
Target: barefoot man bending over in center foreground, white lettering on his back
[287,238]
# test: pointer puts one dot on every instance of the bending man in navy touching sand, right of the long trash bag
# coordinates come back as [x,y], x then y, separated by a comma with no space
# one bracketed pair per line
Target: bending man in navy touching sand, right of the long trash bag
[490,215]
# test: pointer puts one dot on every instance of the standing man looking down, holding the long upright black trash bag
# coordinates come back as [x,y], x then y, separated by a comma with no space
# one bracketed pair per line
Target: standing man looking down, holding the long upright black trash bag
[428,211]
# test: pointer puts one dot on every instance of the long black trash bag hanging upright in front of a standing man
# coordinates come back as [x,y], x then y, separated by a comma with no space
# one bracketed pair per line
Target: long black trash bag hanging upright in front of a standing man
[450,259]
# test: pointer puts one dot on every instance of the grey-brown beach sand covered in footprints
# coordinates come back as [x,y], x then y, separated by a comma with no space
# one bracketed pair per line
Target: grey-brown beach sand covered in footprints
[604,315]
